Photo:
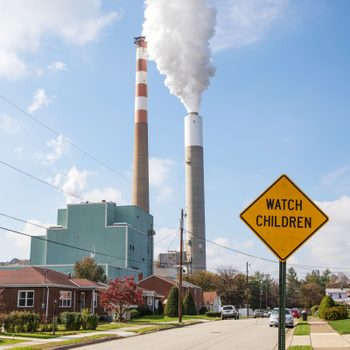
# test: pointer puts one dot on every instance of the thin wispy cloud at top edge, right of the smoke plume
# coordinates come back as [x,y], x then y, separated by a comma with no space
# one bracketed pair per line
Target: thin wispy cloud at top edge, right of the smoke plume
[242,22]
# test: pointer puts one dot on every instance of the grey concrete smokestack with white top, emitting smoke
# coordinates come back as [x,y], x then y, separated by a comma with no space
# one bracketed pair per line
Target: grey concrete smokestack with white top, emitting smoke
[195,211]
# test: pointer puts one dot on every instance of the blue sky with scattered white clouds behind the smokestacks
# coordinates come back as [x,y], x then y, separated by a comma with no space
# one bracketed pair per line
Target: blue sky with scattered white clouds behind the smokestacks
[278,103]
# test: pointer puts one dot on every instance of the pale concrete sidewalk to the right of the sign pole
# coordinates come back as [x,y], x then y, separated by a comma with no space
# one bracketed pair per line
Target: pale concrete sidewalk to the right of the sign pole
[322,337]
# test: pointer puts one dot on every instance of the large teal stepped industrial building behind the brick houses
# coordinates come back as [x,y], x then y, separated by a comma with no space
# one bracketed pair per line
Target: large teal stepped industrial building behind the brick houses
[119,238]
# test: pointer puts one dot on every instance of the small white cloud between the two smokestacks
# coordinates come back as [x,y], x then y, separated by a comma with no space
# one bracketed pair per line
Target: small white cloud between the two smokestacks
[159,170]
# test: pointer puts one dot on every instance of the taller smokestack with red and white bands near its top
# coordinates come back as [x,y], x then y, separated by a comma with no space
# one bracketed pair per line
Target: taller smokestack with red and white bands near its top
[140,191]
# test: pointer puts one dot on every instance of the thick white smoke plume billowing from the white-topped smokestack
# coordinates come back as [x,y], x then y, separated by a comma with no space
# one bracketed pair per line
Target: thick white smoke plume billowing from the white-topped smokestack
[177,34]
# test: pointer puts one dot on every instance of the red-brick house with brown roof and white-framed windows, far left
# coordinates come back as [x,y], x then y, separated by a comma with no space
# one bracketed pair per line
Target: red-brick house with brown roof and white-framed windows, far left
[47,292]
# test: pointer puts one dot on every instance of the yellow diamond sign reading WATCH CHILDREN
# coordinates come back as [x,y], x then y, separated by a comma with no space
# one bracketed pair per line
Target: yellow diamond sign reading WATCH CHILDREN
[283,217]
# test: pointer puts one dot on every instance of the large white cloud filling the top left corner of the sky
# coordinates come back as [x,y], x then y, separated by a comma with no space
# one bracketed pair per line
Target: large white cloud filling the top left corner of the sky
[25,24]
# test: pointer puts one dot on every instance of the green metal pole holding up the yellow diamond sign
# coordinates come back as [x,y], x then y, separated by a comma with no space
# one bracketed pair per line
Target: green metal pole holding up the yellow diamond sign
[282,307]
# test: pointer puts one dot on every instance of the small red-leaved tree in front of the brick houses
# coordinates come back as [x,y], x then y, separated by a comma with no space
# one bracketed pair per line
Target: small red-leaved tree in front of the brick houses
[120,294]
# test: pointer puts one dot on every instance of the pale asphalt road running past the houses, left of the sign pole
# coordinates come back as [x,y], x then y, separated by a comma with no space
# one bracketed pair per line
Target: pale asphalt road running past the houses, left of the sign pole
[240,334]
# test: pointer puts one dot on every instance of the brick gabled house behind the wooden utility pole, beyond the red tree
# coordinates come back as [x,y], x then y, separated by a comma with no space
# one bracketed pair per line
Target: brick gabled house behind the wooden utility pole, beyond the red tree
[162,286]
